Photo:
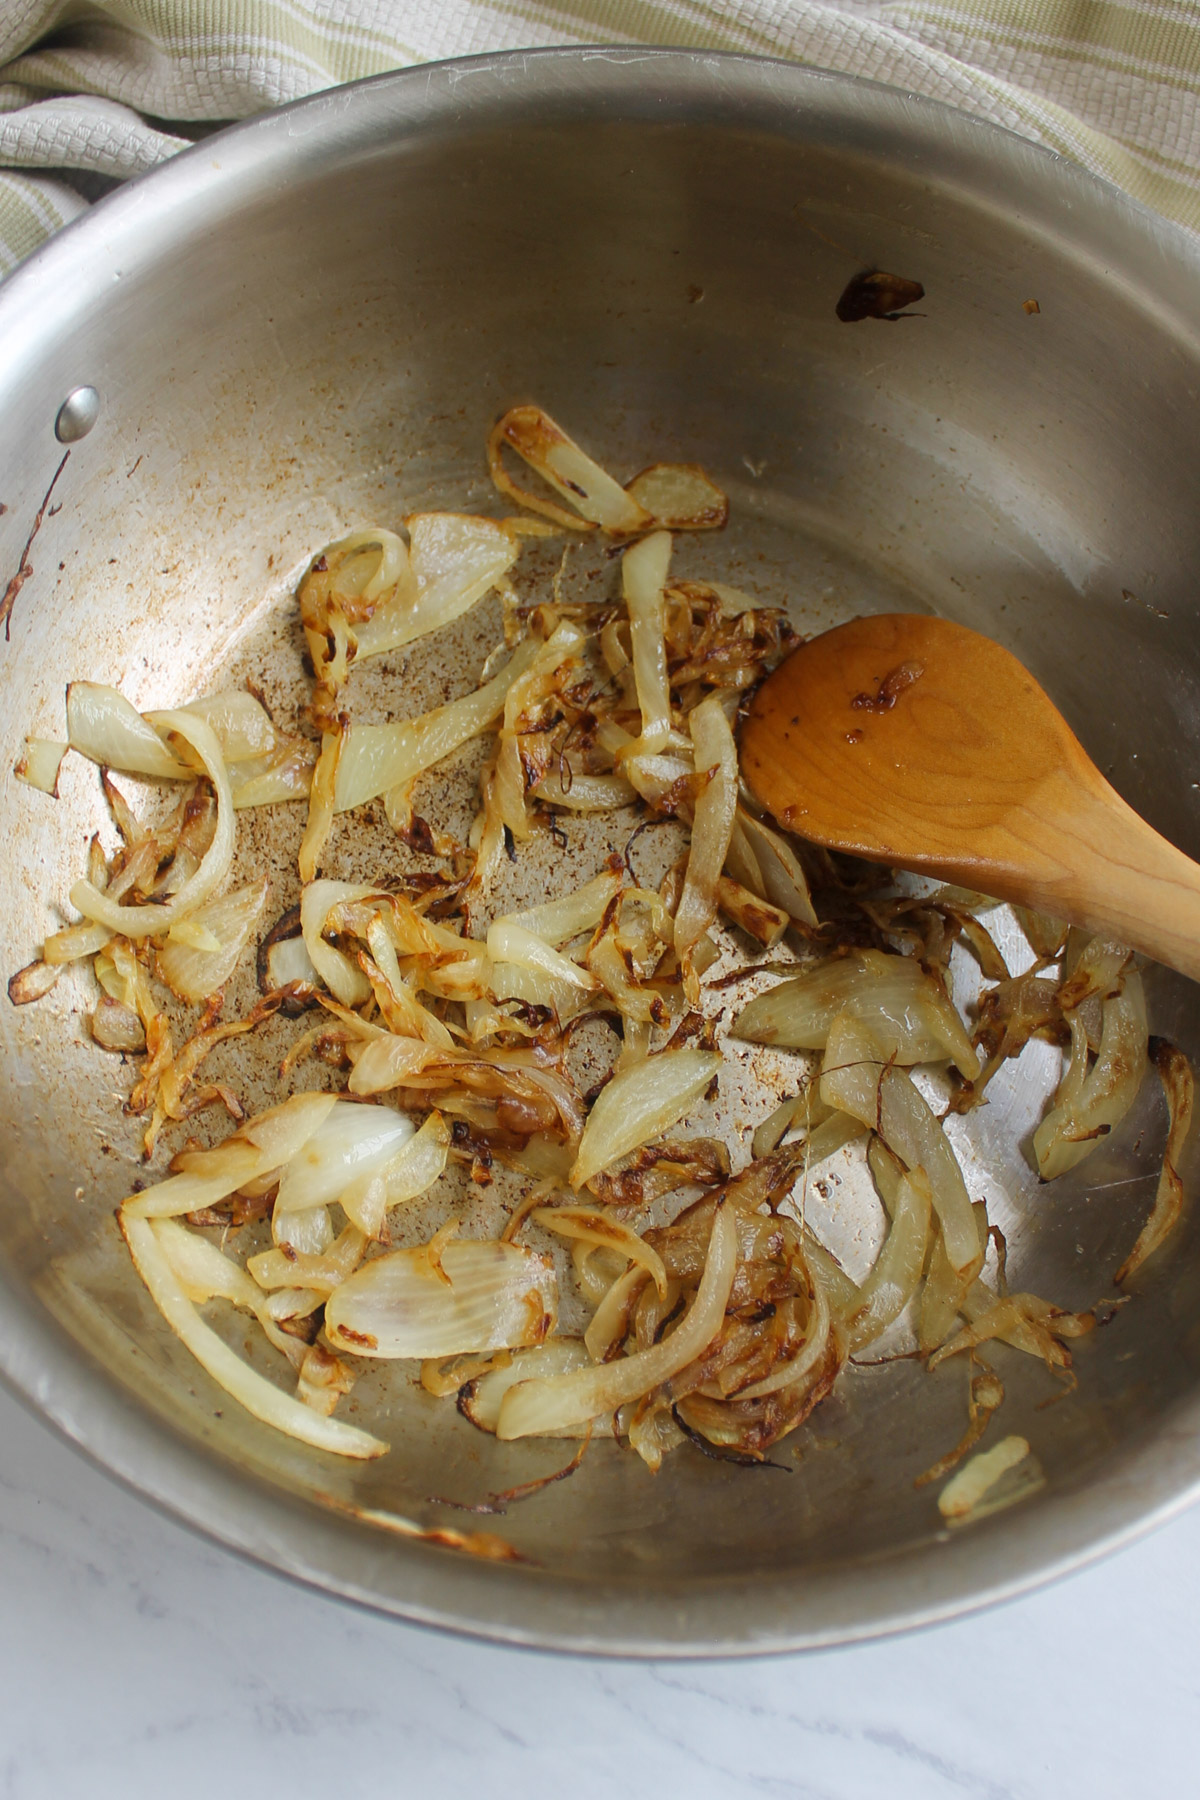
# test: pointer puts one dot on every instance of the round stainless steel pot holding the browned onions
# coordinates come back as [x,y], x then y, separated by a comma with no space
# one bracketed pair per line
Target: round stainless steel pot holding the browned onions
[309,323]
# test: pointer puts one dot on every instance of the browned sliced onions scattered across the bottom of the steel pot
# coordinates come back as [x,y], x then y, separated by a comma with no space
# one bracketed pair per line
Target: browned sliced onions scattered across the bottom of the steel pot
[485,1023]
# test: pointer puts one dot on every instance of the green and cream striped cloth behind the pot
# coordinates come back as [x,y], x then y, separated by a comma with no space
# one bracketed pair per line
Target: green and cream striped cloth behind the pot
[96,91]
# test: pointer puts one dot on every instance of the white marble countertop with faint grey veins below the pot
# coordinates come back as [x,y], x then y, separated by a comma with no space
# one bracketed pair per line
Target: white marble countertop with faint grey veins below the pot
[139,1660]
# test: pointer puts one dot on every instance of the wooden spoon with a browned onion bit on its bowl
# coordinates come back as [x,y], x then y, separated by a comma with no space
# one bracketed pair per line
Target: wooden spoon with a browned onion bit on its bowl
[917,742]
